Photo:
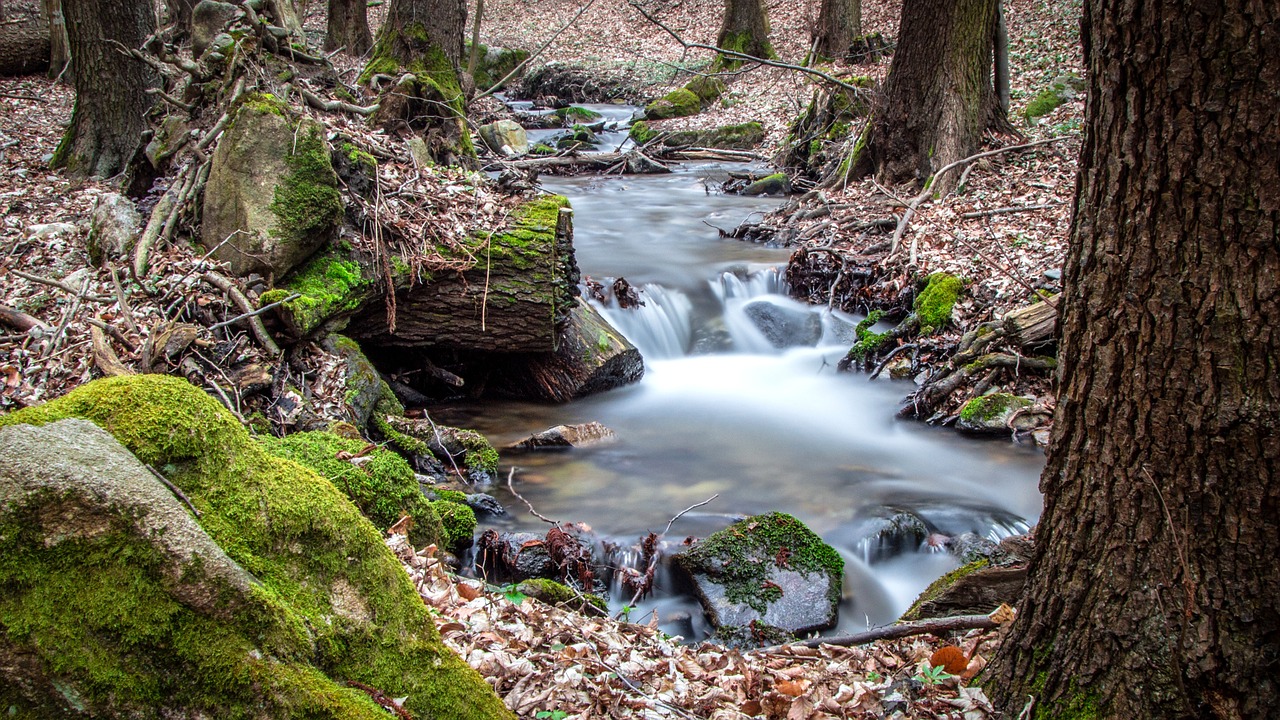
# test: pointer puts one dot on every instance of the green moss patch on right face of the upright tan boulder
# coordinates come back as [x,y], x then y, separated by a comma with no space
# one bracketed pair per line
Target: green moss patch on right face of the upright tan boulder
[308,203]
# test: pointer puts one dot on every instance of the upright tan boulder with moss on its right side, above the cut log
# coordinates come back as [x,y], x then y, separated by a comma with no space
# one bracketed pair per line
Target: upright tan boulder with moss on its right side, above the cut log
[272,198]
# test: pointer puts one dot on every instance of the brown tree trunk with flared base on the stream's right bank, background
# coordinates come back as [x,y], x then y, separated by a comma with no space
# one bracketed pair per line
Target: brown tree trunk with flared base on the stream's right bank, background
[939,97]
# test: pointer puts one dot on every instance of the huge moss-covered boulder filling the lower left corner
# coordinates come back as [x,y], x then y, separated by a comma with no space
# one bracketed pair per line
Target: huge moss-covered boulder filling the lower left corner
[102,619]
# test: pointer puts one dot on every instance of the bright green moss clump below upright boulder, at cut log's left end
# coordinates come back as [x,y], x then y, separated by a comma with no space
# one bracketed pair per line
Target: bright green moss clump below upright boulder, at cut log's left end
[330,285]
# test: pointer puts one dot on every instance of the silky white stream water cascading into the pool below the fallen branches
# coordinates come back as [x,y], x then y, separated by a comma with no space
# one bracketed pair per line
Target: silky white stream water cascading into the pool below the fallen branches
[724,411]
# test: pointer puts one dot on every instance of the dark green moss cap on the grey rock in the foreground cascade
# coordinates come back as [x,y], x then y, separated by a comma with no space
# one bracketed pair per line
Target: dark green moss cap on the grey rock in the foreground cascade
[744,553]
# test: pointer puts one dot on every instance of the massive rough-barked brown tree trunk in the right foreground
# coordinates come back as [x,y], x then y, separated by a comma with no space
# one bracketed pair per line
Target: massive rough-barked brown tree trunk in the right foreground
[1154,587]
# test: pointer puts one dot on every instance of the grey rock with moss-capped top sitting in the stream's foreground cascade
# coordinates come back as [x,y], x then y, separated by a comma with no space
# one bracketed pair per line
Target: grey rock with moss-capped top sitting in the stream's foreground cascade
[767,569]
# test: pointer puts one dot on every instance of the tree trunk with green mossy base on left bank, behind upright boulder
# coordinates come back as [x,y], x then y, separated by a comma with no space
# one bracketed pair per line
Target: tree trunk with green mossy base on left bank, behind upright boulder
[424,38]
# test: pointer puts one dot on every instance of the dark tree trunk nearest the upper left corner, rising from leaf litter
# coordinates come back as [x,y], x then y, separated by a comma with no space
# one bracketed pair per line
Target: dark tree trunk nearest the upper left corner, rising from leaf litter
[111,88]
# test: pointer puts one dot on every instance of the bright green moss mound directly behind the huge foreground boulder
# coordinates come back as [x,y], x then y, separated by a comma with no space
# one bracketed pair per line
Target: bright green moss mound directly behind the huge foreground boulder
[385,487]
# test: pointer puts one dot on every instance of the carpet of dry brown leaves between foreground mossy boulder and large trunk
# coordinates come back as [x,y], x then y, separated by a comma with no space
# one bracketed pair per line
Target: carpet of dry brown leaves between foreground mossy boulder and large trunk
[543,659]
